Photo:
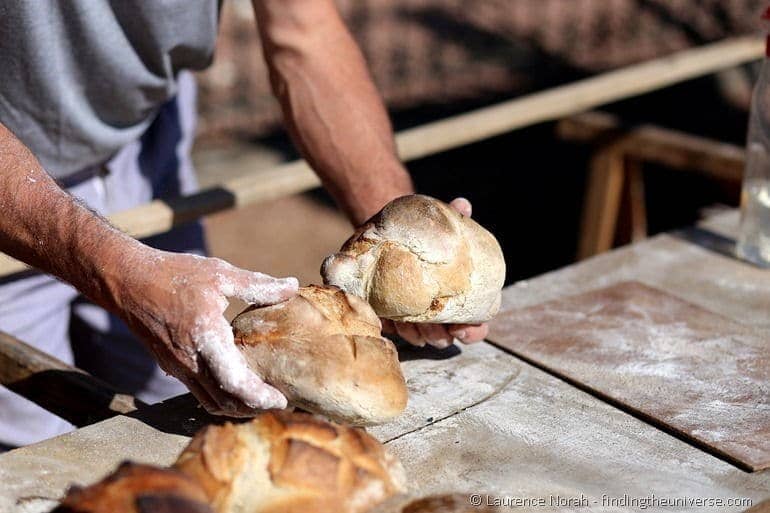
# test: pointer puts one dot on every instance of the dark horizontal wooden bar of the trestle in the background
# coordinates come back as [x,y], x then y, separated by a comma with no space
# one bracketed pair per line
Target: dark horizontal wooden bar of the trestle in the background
[654,144]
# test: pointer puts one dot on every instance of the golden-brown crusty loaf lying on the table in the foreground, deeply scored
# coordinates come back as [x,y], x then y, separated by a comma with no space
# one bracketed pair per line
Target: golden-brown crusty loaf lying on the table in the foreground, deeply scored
[283,462]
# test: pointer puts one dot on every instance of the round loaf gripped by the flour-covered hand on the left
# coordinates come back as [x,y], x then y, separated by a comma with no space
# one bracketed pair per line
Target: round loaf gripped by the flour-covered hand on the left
[323,350]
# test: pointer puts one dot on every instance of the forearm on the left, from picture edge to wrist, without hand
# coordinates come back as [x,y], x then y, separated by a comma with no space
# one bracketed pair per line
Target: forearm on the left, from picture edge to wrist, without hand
[42,225]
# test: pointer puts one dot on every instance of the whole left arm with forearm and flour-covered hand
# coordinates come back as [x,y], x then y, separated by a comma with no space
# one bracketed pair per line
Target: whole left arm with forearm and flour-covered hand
[173,301]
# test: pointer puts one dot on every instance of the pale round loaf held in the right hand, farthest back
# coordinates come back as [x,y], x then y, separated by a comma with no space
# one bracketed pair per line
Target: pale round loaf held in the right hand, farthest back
[419,260]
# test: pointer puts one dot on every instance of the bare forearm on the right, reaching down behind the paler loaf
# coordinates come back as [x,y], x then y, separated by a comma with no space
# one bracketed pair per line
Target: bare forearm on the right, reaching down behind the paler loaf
[332,109]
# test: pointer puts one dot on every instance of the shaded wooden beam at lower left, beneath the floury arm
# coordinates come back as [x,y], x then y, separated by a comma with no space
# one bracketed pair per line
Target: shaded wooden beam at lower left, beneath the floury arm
[66,391]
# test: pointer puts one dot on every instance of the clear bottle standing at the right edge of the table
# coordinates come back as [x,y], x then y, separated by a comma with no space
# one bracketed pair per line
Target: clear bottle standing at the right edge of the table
[754,237]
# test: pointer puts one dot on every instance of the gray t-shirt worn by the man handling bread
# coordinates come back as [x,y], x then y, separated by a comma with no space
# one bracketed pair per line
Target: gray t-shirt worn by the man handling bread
[79,79]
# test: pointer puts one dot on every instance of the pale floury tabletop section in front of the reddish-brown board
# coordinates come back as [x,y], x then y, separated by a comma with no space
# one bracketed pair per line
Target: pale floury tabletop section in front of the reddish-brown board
[539,437]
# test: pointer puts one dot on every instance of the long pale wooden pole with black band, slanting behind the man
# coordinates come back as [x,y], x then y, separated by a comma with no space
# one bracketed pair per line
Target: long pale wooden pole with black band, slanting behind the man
[159,216]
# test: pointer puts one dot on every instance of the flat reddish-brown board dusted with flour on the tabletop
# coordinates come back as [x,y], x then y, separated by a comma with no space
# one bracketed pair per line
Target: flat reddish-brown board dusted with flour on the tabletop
[674,364]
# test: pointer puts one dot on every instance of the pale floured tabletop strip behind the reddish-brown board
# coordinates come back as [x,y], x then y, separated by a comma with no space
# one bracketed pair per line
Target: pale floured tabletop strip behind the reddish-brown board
[670,263]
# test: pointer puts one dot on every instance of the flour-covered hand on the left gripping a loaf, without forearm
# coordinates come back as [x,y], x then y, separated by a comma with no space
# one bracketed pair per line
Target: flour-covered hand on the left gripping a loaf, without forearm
[175,302]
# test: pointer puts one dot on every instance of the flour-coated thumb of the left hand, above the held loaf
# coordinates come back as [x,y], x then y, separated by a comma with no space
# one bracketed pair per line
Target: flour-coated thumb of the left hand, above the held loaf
[255,288]
